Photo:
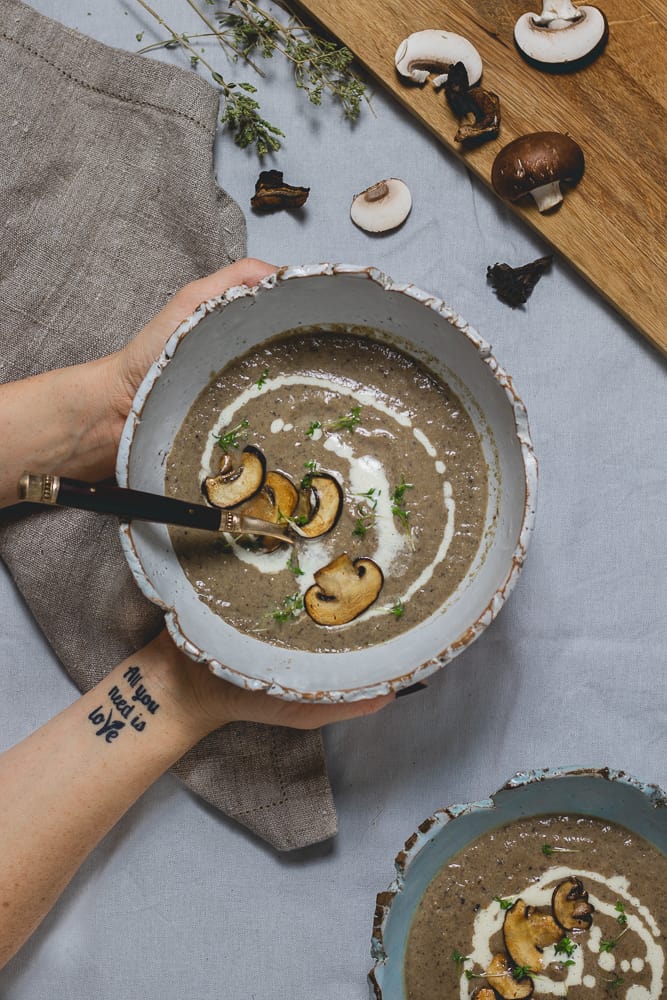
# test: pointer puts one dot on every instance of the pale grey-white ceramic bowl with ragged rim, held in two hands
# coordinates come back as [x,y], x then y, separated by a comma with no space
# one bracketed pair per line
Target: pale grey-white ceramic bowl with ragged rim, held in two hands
[404,317]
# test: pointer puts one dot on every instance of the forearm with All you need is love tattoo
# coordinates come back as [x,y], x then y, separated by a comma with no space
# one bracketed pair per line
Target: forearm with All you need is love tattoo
[64,787]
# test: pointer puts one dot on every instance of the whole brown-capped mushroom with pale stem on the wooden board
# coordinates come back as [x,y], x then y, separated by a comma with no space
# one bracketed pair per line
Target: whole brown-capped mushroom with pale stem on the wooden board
[536,164]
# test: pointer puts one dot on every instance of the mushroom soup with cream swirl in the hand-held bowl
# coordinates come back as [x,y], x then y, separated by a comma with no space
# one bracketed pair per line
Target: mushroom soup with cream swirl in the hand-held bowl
[373,461]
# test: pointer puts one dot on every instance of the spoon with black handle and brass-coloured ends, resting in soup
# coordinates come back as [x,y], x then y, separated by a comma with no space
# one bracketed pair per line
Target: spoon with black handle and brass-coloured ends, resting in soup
[133,504]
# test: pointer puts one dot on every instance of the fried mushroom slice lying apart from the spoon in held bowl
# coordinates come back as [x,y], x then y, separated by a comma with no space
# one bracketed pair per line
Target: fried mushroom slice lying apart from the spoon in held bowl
[342,590]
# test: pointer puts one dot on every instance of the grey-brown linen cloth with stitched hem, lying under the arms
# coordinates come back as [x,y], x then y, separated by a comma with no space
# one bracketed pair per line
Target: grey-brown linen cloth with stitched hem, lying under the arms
[109,203]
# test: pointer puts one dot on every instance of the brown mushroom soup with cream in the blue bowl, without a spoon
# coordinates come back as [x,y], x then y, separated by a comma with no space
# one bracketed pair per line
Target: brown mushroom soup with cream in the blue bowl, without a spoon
[553,906]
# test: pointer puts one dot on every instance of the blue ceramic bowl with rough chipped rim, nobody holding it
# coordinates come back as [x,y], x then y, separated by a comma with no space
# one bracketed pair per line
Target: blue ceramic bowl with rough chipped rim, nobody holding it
[600,793]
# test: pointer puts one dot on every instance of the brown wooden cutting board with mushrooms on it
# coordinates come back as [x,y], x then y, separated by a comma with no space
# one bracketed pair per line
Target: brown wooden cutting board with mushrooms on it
[613,226]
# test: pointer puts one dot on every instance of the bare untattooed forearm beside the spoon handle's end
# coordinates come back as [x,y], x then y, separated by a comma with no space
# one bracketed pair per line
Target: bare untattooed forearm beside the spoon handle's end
[61,422]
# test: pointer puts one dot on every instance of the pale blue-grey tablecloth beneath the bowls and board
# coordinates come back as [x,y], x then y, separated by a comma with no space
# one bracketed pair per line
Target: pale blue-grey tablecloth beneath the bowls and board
[180,902]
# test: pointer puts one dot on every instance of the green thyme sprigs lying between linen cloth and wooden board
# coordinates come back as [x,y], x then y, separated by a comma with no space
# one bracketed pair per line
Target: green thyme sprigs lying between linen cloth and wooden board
[319,65]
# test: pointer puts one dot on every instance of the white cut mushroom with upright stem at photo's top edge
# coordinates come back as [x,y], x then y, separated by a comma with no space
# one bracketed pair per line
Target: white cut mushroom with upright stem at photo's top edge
[563,37]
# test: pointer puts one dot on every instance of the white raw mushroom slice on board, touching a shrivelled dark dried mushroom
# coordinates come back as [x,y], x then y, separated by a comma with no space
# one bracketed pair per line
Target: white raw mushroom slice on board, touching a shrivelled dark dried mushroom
[436,51]
